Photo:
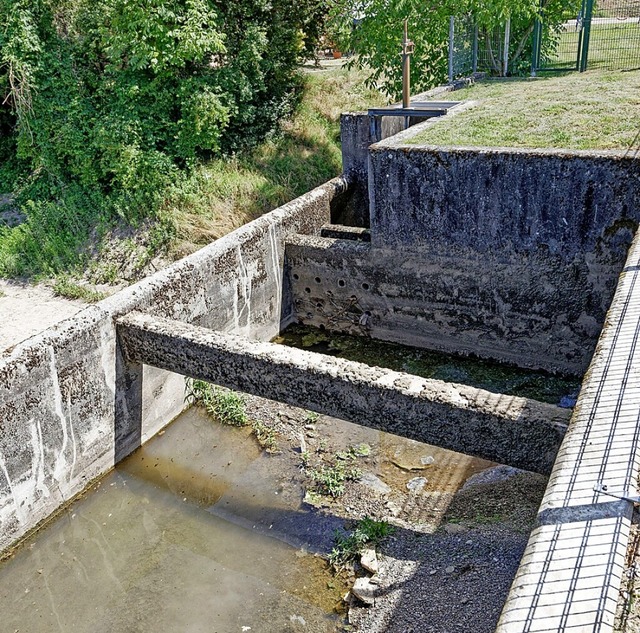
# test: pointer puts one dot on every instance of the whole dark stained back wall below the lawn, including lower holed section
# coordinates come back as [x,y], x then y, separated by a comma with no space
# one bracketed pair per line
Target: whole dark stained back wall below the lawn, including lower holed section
[507,254]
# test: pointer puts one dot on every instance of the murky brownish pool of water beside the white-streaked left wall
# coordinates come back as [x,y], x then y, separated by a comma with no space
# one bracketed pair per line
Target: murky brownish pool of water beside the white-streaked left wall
[177,538]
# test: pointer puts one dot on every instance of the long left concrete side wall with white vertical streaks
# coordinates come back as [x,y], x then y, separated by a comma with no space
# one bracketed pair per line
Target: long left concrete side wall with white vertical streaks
[66,396]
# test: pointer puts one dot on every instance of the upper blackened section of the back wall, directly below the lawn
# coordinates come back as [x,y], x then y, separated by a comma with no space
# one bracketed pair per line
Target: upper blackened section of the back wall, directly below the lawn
[567,203]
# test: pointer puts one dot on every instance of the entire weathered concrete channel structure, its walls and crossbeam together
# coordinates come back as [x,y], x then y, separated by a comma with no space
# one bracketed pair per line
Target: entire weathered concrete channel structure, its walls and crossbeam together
[508,255]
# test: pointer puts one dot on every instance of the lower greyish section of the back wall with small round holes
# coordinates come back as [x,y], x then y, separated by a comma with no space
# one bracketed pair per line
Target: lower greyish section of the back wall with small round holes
[503,306]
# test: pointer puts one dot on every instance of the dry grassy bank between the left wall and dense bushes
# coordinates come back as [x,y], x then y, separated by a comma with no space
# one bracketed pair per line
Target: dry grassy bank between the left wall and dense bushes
[227,193]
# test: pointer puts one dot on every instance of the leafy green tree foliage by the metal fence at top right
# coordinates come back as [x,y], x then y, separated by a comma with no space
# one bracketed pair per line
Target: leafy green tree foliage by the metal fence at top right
[372,29]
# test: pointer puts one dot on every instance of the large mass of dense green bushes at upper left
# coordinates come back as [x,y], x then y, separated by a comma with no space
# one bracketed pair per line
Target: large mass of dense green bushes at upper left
[102,104]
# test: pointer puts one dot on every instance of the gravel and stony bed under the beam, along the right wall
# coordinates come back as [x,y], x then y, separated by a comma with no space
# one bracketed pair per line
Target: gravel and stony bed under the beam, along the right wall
[459,537]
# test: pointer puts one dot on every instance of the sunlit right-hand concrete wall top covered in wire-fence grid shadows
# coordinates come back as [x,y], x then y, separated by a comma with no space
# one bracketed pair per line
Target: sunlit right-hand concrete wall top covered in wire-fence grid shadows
[570,574]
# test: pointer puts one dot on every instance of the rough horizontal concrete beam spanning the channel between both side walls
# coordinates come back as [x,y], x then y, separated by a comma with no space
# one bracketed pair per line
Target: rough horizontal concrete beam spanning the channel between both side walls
[516,431]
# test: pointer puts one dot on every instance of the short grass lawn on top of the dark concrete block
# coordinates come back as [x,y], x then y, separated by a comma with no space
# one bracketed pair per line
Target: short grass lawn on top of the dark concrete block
[591,110]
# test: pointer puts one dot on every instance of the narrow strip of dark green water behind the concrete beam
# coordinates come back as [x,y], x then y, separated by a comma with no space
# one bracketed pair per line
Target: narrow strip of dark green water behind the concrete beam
[495,377]
